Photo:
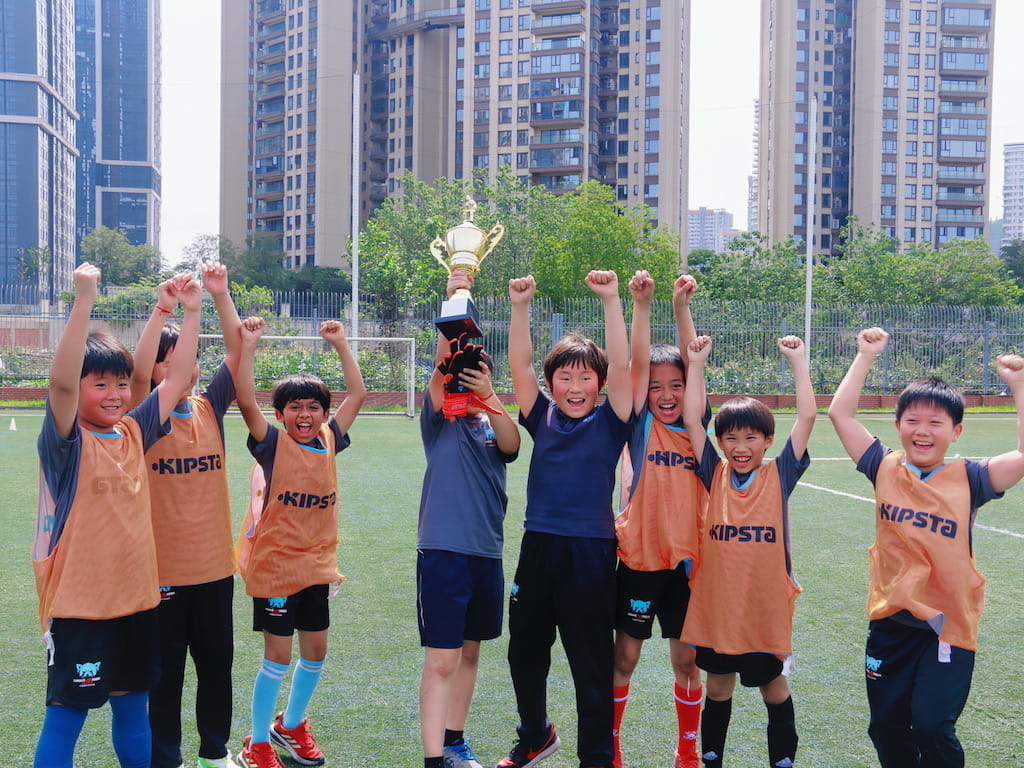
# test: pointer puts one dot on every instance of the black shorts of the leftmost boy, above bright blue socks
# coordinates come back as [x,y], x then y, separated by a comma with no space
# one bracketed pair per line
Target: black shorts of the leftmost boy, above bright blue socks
[94,658]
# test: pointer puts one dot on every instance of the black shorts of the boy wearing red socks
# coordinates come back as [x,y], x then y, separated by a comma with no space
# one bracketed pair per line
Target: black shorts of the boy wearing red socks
[642,595]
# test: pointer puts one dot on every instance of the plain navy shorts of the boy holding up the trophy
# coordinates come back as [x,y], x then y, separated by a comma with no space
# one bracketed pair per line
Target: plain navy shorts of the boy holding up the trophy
[458,598]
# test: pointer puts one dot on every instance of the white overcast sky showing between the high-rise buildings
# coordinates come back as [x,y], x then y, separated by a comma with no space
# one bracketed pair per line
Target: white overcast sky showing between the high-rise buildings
[723,86]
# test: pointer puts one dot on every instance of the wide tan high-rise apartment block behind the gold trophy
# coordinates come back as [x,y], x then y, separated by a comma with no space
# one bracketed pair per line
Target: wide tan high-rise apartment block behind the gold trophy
[559,92]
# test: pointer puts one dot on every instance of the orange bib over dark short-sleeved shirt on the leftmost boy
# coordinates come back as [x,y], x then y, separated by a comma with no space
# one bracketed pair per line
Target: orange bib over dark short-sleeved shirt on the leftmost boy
[94,524]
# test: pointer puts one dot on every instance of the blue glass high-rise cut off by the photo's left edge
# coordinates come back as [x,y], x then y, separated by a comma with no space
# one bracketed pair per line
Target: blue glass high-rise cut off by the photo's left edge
[37,136]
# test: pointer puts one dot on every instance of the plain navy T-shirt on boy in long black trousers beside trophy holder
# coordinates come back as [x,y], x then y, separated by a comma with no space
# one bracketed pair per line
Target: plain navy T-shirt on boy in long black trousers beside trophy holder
[572,472]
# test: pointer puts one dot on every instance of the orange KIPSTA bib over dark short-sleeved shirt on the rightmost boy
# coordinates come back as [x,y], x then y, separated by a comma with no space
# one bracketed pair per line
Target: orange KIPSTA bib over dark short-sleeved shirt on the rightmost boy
[922,564]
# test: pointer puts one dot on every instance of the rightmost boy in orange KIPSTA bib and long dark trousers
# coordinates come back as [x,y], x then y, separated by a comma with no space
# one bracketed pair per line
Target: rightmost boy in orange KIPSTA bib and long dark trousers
[925,595]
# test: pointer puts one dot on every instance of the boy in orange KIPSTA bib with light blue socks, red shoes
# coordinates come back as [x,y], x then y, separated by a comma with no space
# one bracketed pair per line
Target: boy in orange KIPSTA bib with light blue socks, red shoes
[287,550]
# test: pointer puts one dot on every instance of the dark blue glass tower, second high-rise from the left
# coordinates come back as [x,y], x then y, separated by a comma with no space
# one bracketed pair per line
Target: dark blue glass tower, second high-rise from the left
[117,48]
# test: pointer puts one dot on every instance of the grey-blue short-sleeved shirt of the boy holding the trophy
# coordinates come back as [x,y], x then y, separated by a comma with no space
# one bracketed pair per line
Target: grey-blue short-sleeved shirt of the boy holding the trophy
[462,507]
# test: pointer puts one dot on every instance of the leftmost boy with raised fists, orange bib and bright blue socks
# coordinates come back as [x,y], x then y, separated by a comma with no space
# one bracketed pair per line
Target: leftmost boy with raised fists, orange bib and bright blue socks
[95,528]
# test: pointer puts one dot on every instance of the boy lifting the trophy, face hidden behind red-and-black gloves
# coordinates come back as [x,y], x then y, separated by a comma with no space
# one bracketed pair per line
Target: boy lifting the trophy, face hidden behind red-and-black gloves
[459,578]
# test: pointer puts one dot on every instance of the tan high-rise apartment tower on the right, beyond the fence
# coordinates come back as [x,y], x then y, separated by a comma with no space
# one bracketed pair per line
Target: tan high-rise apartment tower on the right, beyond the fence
[902,130]
